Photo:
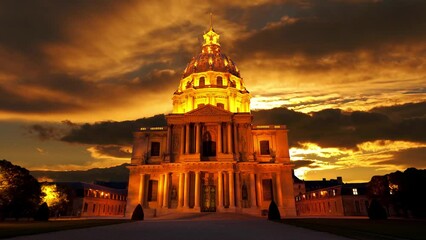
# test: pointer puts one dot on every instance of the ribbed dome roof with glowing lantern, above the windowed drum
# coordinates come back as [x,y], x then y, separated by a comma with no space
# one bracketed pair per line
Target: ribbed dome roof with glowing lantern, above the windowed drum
[210,58]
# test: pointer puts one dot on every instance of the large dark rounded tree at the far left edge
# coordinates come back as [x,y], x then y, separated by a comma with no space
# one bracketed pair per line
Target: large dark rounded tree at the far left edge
[20,192]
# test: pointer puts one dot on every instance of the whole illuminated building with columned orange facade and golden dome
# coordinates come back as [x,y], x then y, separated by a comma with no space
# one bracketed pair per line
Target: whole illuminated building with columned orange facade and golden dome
[209,157]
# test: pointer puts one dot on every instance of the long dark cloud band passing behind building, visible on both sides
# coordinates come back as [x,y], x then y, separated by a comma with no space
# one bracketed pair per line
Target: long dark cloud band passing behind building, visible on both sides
[327,128]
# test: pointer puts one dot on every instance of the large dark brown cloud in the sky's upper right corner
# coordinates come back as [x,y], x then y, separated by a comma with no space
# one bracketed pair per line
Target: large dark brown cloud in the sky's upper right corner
[328,27]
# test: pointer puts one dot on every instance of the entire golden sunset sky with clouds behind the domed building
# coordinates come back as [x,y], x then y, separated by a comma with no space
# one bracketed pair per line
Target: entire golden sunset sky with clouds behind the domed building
[348,77]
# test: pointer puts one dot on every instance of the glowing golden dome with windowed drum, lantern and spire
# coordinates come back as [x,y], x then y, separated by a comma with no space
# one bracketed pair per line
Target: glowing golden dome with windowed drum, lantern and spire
[211,78]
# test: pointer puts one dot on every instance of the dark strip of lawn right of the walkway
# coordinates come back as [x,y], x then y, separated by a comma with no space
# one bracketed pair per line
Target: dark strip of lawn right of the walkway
[365,229]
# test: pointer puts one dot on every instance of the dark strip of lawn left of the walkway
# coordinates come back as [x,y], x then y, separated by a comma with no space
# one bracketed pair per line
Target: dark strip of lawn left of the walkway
[13,229]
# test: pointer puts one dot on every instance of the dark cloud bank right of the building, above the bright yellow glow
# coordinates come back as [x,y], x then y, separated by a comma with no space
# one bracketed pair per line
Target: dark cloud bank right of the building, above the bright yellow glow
[335,128]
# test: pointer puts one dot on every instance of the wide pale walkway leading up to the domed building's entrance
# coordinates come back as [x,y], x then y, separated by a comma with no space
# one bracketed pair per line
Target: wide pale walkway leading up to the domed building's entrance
[188,227]
